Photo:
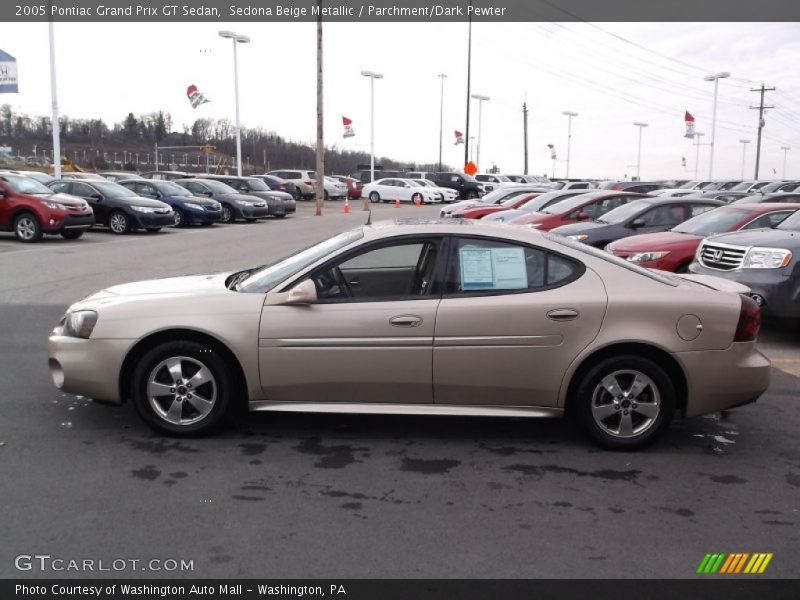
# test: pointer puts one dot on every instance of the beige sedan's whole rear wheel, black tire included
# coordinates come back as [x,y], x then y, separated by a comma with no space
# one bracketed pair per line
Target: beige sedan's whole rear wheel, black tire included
[659,392]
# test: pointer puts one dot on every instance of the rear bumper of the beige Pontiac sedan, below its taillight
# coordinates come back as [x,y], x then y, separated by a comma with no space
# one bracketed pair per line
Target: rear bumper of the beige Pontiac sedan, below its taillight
[723,379]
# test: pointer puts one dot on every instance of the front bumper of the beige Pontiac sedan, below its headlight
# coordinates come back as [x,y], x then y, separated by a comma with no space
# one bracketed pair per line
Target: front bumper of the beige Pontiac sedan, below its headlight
[87,367]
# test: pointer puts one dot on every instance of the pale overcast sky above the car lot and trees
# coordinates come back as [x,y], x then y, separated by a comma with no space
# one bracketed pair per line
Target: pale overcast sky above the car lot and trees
[611,74]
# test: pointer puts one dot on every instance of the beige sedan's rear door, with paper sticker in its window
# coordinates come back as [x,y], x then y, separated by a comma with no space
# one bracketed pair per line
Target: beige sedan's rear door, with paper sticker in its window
[511,320]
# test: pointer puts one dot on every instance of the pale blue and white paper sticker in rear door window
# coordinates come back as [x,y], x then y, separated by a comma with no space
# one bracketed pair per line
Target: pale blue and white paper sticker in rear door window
[493,268]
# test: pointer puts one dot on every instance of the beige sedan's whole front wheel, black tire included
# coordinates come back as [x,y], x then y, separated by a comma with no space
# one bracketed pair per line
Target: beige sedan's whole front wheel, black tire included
[182,388]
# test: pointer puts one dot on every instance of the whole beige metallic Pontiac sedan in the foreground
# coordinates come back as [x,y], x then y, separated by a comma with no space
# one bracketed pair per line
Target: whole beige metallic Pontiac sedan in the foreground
[422,317]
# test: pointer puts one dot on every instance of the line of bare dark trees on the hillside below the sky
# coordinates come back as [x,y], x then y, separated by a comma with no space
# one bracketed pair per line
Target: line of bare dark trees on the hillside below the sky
[265,149]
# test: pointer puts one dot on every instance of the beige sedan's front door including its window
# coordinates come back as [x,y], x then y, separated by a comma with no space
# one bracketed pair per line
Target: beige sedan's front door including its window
[369,336]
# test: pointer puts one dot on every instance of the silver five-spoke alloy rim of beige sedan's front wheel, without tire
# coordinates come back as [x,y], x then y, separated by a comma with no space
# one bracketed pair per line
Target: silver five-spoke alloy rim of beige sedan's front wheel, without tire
[181,390]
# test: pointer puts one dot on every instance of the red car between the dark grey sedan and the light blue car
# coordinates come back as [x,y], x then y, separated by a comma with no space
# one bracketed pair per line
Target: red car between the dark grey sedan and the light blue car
[591,205]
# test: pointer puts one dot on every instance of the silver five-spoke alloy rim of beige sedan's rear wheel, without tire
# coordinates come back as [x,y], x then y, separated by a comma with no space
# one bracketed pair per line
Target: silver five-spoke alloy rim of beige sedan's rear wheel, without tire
[626,403]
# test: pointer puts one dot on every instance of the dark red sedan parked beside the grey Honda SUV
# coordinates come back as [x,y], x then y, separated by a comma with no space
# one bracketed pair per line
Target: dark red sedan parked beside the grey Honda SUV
[673,250]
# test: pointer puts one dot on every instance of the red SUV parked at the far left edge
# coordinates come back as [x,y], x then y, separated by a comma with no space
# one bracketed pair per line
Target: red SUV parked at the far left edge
[30,210]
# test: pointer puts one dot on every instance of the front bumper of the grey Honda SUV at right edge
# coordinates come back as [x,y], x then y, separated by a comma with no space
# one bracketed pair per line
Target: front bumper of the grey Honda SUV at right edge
[780,291]
